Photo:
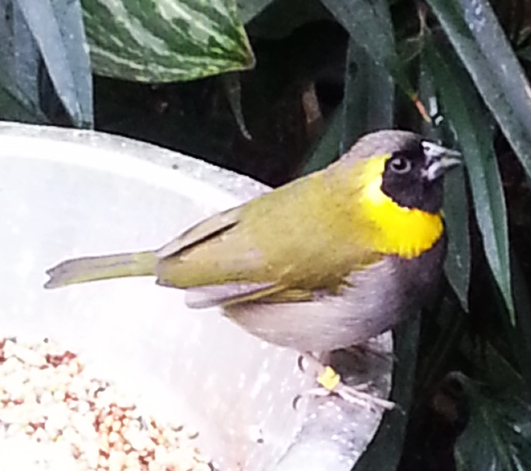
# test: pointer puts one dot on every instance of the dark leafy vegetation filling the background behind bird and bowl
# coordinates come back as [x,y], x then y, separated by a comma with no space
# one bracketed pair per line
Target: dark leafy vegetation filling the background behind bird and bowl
[277,88]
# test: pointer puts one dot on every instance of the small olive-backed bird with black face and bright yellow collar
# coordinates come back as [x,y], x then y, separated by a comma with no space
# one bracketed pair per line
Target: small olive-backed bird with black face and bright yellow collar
[325,262]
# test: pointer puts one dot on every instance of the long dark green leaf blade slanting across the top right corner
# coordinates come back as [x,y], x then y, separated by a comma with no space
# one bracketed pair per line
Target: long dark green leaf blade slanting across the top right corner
[479,40]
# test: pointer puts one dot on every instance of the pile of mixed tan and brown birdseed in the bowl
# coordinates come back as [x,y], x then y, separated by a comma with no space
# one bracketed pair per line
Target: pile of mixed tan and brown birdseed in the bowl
[55,416]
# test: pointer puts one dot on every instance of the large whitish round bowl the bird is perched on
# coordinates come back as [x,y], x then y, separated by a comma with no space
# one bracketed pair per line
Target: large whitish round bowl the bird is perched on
[68,193]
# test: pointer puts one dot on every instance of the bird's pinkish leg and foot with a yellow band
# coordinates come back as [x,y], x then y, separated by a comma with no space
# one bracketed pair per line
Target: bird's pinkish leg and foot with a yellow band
[331,383]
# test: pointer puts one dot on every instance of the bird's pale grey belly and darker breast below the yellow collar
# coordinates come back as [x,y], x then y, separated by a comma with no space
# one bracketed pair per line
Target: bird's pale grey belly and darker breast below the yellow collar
[372,302]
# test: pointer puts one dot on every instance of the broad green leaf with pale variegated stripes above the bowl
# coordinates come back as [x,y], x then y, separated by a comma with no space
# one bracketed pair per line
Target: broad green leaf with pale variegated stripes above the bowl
[165,40]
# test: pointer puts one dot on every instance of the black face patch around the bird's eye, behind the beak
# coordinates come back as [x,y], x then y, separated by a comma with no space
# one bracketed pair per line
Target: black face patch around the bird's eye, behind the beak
[404,182]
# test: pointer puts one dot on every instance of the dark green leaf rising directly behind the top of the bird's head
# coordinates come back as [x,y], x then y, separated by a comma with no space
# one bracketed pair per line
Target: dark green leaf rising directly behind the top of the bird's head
[369,97]
